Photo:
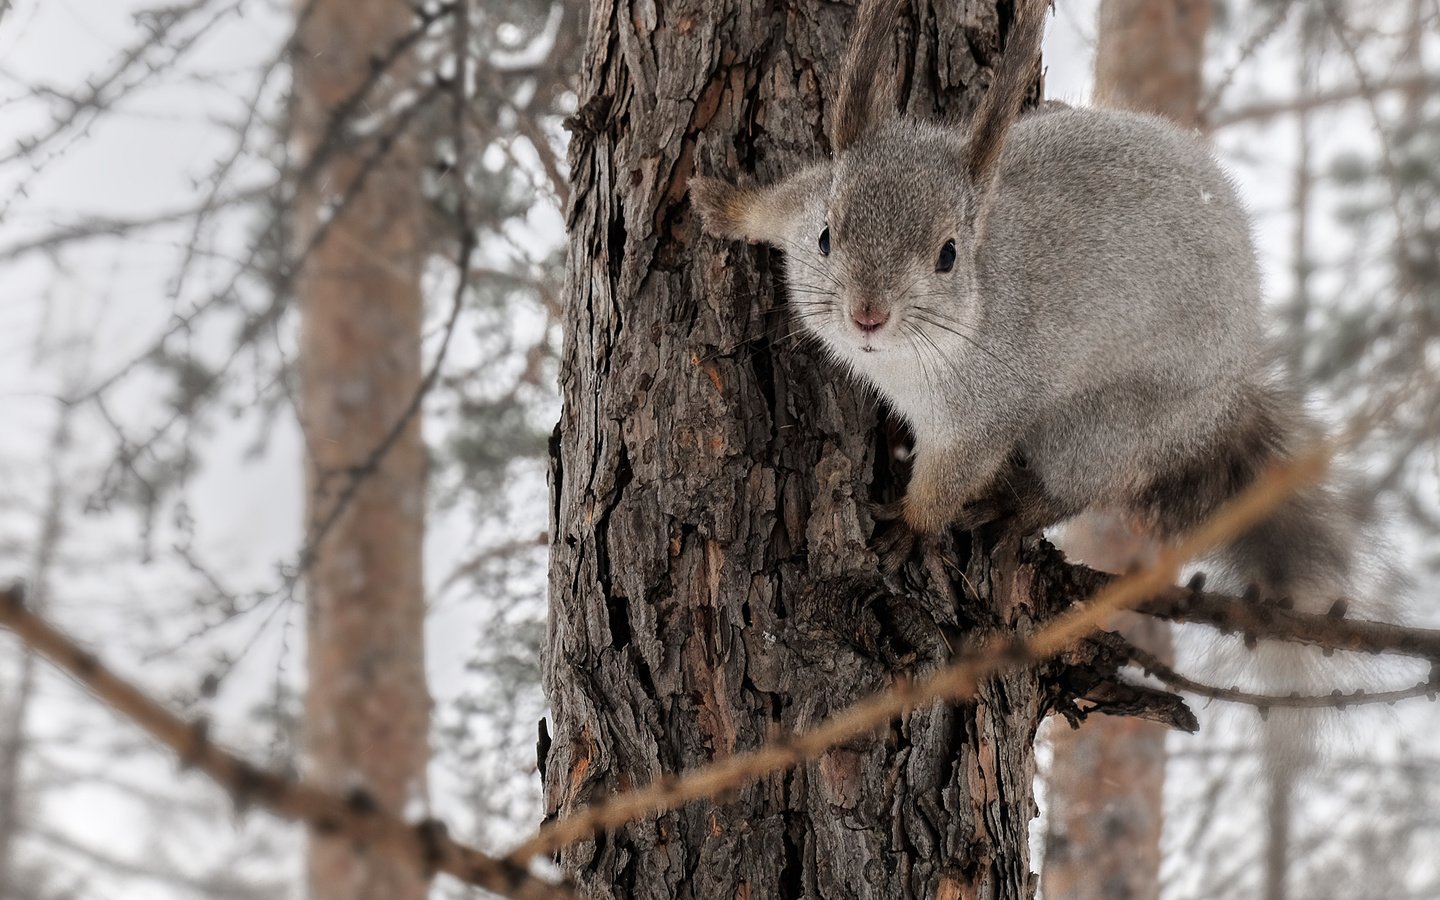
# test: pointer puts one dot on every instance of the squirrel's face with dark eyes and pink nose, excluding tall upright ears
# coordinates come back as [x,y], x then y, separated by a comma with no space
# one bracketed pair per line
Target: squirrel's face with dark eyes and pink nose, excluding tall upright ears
[879,246]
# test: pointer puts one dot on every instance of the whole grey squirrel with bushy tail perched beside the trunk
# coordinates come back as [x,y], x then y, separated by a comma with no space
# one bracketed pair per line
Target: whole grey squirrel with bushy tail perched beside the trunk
[1065,307]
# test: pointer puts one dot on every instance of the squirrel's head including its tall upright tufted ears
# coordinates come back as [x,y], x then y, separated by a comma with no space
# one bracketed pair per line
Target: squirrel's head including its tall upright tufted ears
[882,241]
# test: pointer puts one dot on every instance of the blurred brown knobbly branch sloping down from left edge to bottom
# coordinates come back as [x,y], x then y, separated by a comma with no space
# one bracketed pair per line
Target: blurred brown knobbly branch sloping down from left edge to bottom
[427,846]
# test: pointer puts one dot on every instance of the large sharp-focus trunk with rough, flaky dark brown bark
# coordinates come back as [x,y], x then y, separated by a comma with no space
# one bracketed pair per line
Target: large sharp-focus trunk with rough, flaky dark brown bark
[712,584]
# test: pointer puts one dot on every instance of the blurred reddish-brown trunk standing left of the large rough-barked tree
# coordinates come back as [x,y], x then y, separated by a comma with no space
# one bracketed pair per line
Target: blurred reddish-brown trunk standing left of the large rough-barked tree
[368,708]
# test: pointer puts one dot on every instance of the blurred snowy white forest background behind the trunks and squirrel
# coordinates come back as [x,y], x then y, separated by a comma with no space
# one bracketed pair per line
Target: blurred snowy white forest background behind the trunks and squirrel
[153,482]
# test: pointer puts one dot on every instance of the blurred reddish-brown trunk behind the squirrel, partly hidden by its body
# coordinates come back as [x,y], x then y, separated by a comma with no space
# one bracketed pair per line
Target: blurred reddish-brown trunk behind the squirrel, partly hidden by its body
[1107,784]
